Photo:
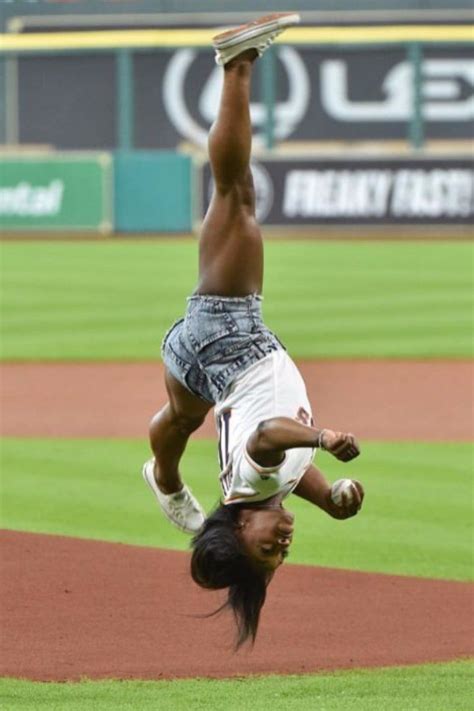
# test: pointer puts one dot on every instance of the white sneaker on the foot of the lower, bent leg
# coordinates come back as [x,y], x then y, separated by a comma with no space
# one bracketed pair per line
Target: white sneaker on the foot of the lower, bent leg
[182,509]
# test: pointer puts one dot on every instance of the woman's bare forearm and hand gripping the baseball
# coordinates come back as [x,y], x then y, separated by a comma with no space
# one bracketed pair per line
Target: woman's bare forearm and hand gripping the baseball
[315,488]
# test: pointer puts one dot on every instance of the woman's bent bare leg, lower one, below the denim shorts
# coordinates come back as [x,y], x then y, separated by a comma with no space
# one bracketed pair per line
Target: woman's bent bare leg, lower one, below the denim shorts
[170,430]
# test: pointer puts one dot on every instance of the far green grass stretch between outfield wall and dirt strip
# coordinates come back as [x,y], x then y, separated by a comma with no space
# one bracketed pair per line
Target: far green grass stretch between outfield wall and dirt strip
[114,300]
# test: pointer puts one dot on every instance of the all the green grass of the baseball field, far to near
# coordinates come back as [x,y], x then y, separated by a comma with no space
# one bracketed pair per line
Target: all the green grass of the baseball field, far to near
[113,301]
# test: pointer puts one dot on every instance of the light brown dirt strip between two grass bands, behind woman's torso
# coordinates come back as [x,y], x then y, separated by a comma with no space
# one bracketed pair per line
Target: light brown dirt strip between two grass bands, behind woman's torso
[392,400]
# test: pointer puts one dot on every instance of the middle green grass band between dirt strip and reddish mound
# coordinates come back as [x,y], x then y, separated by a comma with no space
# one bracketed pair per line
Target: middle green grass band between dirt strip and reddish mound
[416,518]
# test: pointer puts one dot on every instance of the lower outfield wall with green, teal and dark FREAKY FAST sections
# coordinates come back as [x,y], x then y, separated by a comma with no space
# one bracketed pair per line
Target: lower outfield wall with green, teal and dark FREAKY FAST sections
[152,191]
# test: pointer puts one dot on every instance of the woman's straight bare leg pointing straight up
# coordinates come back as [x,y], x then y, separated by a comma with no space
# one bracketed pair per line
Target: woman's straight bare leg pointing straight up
[230,245]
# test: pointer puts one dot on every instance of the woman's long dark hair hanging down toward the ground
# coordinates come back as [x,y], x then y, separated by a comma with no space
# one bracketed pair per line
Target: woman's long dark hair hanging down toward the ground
[219,561]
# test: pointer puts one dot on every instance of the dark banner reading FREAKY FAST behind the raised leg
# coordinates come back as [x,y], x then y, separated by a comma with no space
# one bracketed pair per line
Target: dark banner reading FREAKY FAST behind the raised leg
[295,191]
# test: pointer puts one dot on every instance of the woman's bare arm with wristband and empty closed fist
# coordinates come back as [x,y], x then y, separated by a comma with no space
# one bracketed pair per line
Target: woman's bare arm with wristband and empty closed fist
[273,437]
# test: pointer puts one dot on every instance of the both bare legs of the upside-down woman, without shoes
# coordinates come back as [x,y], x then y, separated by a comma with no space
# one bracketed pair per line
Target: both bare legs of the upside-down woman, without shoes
[230,256]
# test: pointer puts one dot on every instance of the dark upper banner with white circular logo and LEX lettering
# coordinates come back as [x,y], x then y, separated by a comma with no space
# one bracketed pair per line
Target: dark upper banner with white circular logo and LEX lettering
[321,94]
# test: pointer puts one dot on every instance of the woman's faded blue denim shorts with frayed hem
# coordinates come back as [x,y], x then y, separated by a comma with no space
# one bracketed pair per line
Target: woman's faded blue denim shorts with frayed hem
[217,340]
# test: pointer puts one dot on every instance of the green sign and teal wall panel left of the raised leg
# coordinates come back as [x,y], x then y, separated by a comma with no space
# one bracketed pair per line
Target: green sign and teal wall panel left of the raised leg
[97,192]
